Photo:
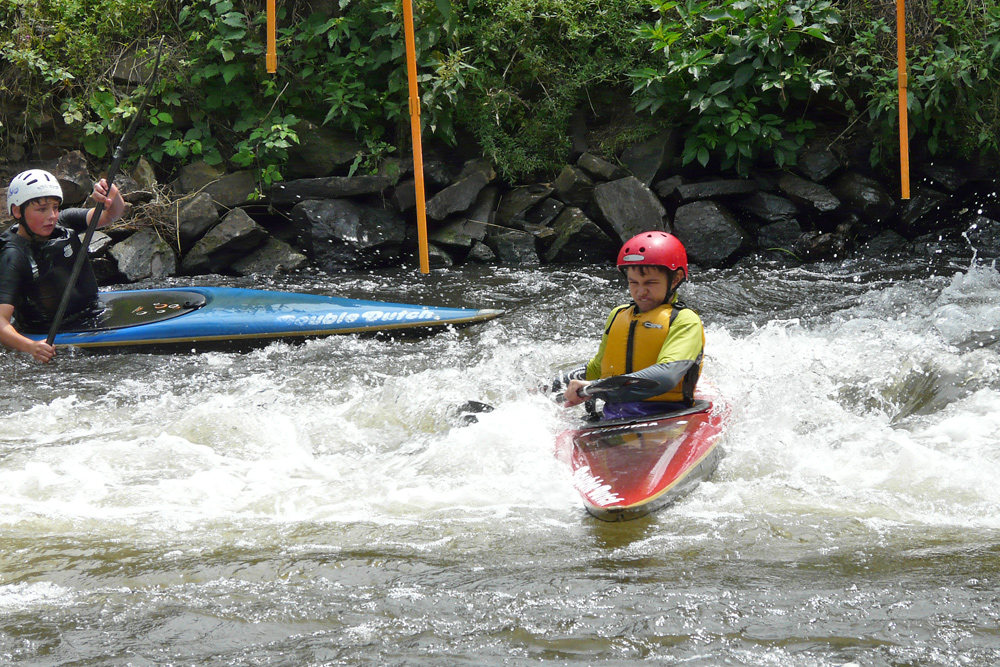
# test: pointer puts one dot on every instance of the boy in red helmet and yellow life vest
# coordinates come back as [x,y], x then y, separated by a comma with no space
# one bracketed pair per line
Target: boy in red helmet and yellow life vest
[655,338]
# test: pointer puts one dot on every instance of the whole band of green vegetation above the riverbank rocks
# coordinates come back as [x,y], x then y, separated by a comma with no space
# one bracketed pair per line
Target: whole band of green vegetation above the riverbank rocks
[746,82]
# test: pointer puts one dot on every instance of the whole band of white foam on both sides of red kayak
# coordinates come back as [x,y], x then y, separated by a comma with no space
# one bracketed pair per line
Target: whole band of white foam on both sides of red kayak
[874,410]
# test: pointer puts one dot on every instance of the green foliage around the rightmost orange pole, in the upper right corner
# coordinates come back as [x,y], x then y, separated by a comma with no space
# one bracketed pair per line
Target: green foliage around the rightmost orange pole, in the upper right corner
[953,82]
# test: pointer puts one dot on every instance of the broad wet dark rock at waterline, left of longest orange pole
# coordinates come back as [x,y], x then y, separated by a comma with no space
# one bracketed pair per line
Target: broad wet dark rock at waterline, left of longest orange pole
[341,234]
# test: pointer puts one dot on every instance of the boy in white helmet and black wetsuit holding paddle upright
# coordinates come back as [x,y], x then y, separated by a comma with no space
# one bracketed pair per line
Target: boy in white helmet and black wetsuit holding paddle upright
[37,255]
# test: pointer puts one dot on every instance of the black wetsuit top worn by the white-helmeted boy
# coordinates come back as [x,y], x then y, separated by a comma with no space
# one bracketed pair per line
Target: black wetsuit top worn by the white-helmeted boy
[34,274]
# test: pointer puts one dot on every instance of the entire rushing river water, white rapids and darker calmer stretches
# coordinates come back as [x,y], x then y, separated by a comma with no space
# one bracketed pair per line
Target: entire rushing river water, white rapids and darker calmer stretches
[317,504]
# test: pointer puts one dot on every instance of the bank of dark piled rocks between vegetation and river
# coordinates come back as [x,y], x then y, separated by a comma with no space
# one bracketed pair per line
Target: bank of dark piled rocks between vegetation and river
[209,221]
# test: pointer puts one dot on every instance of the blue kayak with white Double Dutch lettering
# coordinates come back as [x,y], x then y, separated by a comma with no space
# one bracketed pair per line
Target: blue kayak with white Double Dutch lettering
[219,315]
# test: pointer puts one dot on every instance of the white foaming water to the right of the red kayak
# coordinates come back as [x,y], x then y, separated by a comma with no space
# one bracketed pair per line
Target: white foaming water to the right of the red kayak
[874,413]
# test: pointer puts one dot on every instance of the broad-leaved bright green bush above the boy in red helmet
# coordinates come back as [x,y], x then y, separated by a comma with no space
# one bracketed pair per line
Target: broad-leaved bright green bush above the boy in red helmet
[738,73]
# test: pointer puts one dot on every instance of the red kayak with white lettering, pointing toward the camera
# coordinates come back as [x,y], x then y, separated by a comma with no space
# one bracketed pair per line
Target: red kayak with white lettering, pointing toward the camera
[627,468]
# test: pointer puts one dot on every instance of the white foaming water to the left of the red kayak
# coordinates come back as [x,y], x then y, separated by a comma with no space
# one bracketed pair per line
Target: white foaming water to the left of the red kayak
[263,449]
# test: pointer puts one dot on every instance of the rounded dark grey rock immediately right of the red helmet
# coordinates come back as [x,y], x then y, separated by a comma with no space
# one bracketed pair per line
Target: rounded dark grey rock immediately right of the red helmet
[710,233]
